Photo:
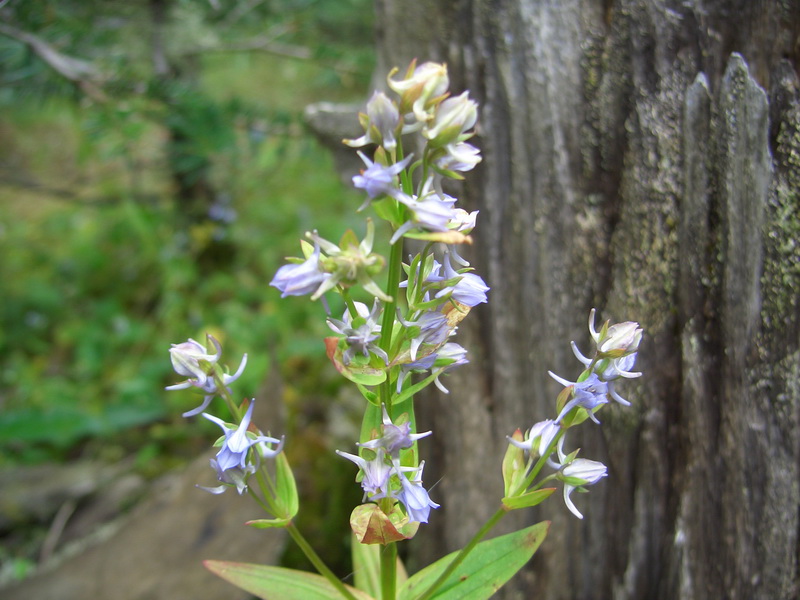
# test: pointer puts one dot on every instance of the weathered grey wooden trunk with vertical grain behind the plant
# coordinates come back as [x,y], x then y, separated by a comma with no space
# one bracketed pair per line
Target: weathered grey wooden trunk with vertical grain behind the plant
[643,157]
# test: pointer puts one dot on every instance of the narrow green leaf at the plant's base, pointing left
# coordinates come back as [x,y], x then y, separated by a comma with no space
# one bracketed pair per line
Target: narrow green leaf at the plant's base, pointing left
[278,583]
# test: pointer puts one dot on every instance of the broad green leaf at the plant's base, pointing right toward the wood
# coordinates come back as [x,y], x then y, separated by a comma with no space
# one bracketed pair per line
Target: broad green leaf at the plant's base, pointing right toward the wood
[485,570]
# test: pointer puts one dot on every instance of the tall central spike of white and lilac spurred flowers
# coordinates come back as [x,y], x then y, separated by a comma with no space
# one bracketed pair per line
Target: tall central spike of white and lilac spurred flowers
[407,333]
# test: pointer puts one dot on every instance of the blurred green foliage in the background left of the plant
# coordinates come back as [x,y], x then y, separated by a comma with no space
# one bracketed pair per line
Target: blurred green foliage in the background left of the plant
[143,206]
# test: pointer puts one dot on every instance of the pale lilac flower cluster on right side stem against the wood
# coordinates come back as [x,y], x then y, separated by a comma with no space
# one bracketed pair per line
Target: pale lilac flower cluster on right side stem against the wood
[614,357]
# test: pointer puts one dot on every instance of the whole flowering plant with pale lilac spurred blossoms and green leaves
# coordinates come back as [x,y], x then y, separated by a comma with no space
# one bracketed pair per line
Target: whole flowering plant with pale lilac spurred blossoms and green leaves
[391,347]
